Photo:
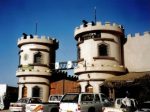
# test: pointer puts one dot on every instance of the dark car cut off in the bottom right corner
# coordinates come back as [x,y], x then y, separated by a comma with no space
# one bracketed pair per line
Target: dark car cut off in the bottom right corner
[144,107]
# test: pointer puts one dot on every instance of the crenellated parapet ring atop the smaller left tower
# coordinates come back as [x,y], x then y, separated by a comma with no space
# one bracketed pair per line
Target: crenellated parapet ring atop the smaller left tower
[35,39]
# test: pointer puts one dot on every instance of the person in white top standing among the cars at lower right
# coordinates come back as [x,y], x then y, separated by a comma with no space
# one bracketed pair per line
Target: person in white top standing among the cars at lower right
[127,102]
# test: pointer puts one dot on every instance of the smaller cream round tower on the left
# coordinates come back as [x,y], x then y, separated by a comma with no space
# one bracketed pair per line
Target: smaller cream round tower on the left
[34,68]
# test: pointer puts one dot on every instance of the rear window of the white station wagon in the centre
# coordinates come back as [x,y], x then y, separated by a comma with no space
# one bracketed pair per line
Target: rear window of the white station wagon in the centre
[70,98]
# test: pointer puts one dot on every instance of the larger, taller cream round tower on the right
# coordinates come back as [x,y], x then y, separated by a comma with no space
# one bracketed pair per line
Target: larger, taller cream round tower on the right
[100,51]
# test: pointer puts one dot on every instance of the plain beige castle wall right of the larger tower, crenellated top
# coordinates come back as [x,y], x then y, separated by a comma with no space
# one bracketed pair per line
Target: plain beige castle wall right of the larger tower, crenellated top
[136,52]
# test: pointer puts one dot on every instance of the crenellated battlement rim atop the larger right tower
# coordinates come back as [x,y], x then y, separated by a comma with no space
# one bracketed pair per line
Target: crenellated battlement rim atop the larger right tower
[98,26]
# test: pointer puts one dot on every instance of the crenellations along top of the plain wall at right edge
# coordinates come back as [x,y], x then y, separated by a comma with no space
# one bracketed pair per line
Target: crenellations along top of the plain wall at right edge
[139,35]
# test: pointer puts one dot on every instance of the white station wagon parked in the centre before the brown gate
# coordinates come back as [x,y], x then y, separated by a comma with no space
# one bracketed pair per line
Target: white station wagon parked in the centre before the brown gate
[85,102]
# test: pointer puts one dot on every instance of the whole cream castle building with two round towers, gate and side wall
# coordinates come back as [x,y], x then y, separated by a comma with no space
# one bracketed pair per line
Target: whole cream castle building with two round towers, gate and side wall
[105,57]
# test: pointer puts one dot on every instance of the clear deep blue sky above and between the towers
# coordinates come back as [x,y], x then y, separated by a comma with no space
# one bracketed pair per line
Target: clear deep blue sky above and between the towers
[58,19]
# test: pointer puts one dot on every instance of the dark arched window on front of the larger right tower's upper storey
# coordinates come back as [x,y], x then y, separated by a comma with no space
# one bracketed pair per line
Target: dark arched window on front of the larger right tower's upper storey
[103,49]
